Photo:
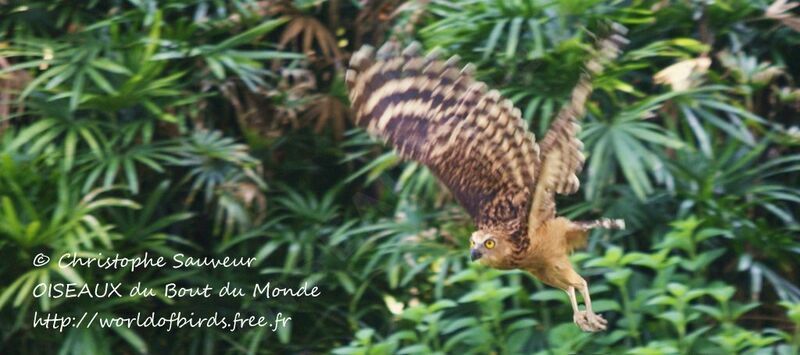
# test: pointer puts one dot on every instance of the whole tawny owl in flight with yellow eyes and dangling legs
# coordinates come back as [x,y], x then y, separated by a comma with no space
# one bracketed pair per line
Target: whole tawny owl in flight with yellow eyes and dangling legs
[478,145]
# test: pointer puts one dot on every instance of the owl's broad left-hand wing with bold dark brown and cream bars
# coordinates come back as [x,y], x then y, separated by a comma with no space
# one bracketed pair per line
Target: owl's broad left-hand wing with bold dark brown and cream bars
[433,112]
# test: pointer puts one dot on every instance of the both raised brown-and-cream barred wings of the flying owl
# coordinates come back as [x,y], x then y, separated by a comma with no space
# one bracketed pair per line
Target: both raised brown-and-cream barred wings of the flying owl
[474,140]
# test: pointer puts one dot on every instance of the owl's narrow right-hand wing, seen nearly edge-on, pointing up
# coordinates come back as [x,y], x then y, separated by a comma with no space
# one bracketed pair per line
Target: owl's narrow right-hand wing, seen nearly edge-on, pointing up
[562,157]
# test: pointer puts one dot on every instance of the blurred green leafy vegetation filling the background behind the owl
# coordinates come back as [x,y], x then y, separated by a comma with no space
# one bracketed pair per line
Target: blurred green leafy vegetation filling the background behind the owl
[222,128]
